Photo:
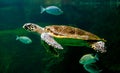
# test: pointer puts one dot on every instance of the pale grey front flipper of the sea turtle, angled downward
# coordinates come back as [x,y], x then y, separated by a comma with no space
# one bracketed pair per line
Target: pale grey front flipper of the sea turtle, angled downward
[50,41]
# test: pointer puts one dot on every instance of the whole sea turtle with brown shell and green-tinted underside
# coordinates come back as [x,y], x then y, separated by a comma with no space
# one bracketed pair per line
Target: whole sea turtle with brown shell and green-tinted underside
[58,35]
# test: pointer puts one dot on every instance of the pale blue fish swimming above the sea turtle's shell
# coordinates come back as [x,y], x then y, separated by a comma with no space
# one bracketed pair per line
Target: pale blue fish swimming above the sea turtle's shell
[51,10]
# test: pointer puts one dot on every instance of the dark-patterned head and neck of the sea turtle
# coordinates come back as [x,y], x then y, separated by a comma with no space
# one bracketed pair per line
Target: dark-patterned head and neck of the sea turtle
[32,27]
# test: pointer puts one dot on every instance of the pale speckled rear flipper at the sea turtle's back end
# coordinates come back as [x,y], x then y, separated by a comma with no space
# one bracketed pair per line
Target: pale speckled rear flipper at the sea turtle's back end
[99,46]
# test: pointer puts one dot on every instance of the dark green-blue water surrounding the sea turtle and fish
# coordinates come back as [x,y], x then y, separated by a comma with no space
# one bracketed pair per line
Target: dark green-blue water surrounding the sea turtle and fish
[101,17]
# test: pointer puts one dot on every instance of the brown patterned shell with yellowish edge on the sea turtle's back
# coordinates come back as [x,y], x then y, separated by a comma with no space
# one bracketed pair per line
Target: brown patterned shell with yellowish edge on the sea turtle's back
[62,31]
